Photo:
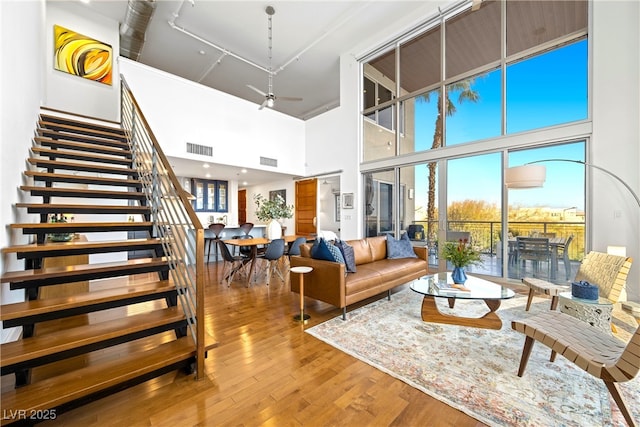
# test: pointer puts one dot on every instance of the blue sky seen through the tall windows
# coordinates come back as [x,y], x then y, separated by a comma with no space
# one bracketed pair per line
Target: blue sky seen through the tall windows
[544,90]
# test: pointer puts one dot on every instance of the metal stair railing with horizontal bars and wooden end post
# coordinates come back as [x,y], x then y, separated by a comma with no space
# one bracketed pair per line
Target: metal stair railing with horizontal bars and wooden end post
[174,219]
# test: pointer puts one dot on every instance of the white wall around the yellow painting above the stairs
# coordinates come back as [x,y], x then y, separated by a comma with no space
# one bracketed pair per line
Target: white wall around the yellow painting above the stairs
[72,93]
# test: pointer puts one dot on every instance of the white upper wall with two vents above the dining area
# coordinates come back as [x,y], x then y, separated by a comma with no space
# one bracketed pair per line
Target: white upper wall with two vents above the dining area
[181,111]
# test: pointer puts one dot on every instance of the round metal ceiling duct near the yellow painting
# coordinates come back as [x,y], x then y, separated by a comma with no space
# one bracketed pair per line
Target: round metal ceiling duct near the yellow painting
[134,26]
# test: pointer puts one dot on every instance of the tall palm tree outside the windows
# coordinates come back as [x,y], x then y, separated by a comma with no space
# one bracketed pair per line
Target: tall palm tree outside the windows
[466,93]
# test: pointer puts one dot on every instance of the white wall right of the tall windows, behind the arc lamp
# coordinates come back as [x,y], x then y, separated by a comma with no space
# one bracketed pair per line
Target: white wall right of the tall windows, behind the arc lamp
[616,130]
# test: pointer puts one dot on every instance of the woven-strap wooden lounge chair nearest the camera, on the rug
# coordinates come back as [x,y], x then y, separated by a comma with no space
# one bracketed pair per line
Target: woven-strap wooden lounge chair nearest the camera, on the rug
[591,349]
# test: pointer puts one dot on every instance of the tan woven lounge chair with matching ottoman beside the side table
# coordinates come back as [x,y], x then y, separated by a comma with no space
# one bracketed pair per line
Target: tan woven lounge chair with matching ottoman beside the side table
[608,272]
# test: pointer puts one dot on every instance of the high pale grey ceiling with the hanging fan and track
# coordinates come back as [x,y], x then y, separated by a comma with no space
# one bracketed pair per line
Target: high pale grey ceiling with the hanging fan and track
[308,39]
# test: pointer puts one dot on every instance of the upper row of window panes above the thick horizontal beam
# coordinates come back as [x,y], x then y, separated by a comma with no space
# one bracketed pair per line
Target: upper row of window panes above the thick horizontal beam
[544,72]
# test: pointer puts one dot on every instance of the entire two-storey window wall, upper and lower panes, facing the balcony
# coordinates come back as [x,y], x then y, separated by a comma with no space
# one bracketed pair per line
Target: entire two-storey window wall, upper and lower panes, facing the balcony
[467,108]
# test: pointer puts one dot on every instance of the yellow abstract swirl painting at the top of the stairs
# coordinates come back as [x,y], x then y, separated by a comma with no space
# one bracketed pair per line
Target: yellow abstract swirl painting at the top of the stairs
[82,56]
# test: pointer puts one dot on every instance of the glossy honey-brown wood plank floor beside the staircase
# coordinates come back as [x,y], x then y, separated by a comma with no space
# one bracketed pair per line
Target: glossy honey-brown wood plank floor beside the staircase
[266,371]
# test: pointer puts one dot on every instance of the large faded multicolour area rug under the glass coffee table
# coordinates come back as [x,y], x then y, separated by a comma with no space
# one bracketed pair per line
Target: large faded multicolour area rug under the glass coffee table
[475,370]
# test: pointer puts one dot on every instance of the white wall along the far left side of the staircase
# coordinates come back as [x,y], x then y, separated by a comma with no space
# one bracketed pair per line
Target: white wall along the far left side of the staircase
[21,90]
